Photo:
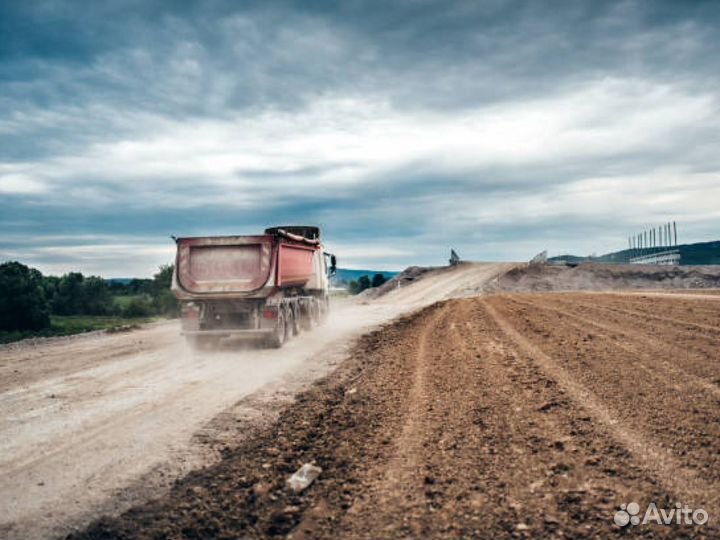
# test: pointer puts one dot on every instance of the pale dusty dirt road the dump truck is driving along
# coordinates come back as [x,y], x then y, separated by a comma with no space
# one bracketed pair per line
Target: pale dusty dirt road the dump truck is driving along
[94,424]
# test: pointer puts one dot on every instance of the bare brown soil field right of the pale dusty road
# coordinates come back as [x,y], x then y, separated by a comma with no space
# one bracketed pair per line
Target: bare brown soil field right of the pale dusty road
[506,416]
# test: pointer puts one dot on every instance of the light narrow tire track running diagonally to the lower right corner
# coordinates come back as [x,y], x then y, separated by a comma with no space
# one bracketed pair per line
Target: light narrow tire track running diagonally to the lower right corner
[667,470]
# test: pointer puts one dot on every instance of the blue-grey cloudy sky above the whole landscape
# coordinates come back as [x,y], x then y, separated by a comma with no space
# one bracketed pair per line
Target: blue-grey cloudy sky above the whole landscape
[402,128]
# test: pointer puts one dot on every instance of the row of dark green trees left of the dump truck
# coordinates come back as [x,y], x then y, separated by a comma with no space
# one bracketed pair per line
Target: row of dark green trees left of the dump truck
[28,298]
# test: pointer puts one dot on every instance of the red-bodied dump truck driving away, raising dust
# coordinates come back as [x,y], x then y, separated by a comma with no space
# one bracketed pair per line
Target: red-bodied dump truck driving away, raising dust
[265,288]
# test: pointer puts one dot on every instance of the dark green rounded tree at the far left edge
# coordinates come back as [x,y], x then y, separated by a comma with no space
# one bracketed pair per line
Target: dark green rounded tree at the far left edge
[23,305]
